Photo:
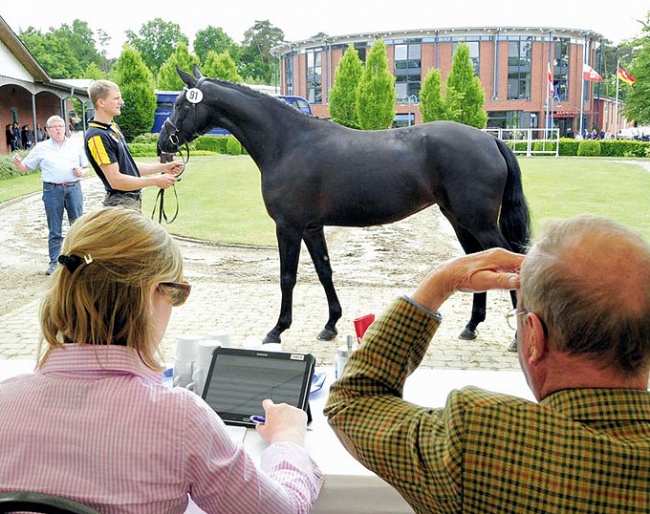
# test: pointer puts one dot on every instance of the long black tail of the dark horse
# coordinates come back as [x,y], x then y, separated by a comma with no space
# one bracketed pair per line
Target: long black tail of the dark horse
[514,219]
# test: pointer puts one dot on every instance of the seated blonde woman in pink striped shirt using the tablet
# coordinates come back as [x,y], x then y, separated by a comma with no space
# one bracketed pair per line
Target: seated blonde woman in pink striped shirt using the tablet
[96,424]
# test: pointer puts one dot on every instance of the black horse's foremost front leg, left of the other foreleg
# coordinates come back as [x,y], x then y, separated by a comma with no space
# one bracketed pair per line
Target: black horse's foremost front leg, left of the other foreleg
[289,248]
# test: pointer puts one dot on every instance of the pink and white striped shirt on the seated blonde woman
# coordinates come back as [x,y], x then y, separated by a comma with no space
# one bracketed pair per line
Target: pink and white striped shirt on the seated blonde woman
[96,426]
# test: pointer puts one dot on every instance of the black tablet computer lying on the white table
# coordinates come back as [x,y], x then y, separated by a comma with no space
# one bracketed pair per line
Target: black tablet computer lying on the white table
[240,379]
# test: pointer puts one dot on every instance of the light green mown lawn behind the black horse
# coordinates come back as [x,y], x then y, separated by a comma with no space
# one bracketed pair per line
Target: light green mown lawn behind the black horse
[220,198]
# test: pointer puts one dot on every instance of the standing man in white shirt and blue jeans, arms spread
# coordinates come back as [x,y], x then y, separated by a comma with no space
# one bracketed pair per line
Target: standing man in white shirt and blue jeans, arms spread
[62,164]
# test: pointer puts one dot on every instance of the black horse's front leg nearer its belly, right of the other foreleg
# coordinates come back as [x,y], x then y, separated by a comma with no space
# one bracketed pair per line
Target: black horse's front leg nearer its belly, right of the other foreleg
[314,238]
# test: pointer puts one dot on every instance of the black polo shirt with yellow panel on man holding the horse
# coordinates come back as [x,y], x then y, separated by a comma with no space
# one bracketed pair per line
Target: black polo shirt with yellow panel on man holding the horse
[105,144]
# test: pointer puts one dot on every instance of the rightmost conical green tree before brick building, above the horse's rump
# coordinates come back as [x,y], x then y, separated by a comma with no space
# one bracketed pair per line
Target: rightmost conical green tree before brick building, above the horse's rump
[464,95]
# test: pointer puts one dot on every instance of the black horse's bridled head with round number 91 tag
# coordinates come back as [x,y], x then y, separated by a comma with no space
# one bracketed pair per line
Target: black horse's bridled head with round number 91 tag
[190,117]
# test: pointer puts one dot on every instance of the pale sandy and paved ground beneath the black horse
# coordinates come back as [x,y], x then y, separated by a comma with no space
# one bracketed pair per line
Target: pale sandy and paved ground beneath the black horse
[236,289]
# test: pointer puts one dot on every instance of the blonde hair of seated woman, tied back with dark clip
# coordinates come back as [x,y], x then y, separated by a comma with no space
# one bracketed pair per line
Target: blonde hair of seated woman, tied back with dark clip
[106,300]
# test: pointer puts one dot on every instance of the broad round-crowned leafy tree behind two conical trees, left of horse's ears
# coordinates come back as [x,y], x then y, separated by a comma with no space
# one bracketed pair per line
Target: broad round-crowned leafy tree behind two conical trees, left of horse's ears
[156,41]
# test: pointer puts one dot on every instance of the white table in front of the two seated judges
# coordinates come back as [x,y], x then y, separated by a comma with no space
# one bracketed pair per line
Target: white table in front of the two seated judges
[349,487]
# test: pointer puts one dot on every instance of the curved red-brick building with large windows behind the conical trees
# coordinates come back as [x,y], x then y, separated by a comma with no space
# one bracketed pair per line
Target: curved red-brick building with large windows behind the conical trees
[512,63]
